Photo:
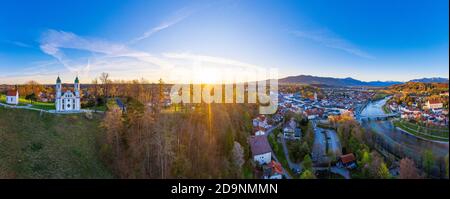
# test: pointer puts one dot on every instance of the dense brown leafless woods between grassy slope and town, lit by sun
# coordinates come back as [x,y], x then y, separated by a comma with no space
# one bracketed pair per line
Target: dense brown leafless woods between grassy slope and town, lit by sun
[201,141]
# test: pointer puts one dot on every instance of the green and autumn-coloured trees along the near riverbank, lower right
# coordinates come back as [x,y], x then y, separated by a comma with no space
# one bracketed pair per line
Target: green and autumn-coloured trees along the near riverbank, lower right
[375,156]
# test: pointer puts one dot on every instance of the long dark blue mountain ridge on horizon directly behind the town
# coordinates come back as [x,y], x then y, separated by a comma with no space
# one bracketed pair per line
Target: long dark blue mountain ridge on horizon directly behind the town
[342,82]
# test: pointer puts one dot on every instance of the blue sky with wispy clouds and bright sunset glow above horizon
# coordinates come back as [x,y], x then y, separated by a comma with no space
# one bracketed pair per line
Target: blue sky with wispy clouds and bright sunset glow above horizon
[367,40]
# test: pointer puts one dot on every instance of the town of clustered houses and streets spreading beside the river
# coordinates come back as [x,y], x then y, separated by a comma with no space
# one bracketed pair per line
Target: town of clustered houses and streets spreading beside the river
[322,107]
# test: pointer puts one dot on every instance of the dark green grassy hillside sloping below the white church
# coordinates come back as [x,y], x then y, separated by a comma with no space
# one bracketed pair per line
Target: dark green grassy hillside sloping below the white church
[49,146]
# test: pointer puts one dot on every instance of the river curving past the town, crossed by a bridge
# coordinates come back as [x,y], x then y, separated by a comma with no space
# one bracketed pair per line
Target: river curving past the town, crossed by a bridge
[395,138]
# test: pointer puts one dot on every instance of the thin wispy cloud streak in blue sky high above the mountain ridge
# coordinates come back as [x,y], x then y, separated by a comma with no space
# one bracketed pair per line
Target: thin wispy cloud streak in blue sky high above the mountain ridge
[331,40]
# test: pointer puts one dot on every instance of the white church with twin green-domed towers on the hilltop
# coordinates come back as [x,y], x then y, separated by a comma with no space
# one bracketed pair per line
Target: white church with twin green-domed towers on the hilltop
[67,100]
